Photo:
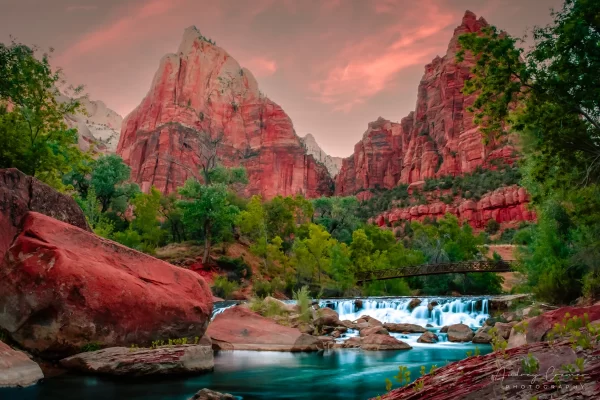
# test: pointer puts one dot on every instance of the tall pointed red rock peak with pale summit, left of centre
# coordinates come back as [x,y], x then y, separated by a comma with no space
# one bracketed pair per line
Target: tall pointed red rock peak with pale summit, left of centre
[202,105]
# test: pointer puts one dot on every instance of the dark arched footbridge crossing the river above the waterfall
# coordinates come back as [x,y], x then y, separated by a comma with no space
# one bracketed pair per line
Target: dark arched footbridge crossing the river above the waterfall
[435,269]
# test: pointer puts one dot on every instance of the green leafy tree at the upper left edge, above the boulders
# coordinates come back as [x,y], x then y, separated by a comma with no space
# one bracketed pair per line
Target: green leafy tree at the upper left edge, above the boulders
[33,135]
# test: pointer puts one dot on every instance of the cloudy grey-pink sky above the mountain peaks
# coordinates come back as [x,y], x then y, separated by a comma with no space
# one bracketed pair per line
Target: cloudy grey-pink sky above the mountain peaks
[333,65]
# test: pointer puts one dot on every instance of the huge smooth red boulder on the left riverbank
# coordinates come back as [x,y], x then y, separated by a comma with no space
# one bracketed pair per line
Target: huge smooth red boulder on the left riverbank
[63,288]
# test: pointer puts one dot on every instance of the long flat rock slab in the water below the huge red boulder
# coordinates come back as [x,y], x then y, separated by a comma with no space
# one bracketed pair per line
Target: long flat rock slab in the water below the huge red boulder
[122,361]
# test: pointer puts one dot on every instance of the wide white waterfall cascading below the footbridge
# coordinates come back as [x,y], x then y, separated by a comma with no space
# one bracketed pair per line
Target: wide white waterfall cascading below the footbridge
[443,310]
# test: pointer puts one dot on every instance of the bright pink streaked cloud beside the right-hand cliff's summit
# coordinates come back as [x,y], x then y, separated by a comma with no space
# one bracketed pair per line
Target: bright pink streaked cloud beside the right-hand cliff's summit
[365,68]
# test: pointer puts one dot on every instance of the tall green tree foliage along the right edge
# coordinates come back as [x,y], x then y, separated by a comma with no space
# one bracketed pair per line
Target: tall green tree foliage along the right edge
[549,98]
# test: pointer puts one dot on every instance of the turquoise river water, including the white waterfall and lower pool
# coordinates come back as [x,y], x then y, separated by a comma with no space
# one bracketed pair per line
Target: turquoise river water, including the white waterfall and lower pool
[333,374]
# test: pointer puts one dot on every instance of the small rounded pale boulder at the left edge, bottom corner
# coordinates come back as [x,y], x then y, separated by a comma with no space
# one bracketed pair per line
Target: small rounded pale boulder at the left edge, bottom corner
[16,369]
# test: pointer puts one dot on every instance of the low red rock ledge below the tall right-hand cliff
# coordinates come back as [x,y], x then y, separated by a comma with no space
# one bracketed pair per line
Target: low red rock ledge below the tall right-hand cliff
[505,204]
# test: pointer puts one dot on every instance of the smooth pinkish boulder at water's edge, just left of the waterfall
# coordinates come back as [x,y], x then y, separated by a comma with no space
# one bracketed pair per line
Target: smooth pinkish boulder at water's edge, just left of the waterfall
[238,328]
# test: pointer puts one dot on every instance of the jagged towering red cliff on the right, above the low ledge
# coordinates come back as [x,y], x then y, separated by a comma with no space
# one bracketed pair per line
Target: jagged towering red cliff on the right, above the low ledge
[439,138]
